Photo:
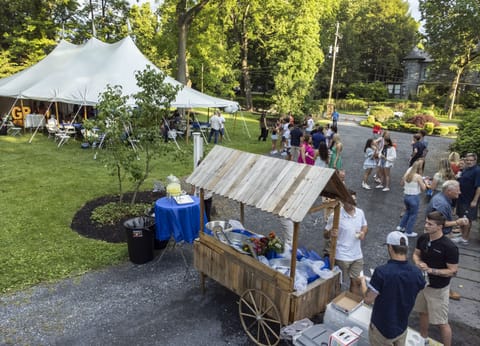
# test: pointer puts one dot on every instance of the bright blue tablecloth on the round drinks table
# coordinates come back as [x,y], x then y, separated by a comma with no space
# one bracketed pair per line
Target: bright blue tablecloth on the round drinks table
[180,221]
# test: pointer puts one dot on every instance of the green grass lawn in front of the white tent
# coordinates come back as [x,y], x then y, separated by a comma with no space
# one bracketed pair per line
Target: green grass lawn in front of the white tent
[42,187]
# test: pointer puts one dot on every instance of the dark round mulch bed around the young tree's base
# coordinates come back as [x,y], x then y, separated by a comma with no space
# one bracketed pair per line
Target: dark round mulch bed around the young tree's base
[83,225]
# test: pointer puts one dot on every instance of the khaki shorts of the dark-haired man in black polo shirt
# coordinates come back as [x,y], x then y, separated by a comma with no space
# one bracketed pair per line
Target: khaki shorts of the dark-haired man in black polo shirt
[434,302]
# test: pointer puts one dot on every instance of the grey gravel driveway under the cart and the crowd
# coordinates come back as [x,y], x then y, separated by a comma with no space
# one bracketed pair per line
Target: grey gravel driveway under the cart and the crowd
[160,303]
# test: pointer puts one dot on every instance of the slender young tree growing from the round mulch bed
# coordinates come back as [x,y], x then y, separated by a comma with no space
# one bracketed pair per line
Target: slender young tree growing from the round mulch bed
[132,132]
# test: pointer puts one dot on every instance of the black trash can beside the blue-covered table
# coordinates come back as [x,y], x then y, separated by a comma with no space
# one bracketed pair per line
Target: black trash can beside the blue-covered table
[140,238]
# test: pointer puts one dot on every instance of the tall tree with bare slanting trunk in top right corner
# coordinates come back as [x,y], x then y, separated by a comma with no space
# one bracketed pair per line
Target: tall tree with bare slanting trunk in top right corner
[453,38]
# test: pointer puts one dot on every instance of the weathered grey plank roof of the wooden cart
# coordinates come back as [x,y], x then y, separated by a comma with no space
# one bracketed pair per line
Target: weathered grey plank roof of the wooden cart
[277,186]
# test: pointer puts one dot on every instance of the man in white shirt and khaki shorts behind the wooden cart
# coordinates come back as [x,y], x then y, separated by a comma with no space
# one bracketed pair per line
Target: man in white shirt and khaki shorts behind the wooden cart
[352,229]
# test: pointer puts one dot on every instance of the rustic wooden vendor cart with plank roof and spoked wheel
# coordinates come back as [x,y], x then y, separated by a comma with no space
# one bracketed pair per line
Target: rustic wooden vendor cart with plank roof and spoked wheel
[268,299]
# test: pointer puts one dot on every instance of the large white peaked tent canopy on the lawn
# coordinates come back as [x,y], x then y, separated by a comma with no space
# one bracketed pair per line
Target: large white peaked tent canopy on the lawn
[79,73]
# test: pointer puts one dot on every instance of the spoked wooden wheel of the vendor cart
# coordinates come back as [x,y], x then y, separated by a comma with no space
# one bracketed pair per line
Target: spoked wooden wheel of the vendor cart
[260,317]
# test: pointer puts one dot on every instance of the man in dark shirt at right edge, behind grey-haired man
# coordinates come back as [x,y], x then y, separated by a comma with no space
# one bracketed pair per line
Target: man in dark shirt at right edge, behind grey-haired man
[467,203]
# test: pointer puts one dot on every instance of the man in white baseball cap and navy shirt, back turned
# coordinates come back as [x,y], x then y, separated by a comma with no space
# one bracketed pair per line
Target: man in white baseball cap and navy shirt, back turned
[393,288]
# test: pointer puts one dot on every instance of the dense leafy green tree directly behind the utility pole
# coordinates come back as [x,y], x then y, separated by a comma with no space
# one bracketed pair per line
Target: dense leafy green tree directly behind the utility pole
[375,36]
